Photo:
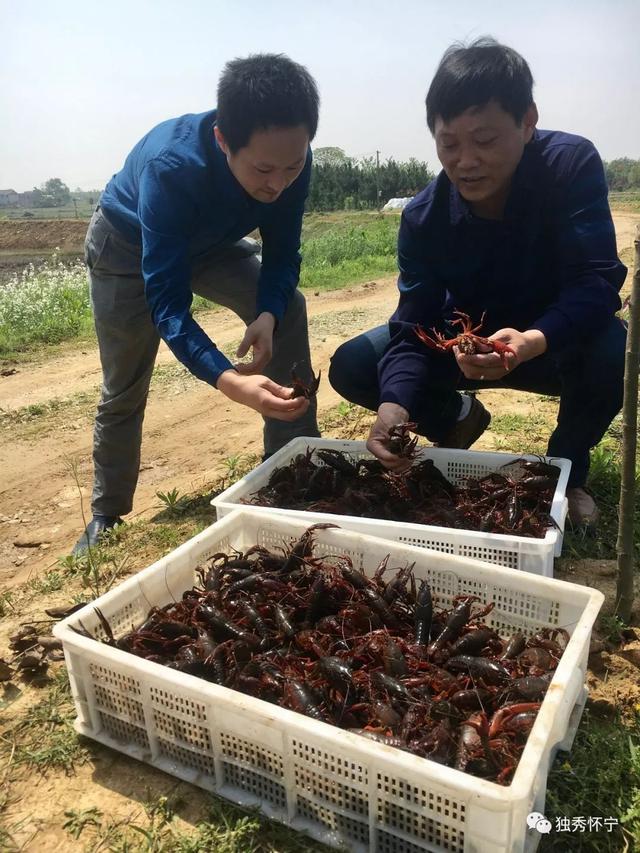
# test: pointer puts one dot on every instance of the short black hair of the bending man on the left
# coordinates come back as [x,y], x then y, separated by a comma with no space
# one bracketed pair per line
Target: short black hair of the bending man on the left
[262,91]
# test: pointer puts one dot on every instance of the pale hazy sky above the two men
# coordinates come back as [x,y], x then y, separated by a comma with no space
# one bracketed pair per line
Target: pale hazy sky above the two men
[81,81]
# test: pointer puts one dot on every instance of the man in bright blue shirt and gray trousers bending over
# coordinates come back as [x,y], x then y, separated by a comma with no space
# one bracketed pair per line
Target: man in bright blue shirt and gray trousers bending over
[171,223]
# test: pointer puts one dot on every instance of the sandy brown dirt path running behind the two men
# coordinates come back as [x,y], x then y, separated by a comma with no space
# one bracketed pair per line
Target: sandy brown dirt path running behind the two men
[39,505]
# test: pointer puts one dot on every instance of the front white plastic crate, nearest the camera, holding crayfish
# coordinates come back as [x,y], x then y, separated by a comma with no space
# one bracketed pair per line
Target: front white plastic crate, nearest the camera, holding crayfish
[338,786]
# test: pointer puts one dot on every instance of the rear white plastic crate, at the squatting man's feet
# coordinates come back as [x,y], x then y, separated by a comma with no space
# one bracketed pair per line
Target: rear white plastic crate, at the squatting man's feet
[517,552]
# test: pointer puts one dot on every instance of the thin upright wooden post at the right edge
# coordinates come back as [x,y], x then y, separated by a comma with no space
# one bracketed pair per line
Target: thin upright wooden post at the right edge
[624,544]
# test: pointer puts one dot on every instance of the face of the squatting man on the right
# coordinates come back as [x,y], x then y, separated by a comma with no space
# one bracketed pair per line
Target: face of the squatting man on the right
[480,150]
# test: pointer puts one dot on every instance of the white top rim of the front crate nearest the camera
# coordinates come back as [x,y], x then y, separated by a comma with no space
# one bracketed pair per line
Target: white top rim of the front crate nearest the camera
[501,796]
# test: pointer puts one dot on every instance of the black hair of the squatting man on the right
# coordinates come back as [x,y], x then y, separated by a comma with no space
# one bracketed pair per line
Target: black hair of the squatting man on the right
[473,75]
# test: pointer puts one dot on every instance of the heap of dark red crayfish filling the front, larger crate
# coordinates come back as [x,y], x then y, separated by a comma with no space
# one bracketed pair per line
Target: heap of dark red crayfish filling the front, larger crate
[378,658]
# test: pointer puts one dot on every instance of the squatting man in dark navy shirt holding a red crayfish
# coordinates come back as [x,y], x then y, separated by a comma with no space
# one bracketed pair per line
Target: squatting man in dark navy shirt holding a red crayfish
[516,227]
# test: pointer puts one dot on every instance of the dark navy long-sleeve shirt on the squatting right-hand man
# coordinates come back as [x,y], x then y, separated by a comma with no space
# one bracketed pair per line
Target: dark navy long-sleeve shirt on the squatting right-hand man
[550,264]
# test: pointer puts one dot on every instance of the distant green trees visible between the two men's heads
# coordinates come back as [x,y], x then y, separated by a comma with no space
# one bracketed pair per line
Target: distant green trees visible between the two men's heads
[339,181]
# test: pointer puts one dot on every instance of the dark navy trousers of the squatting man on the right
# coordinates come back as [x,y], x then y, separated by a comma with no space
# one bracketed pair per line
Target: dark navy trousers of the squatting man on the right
[587,377]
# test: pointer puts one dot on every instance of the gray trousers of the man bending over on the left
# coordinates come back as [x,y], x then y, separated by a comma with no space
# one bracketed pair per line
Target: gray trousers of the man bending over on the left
[128,343]
